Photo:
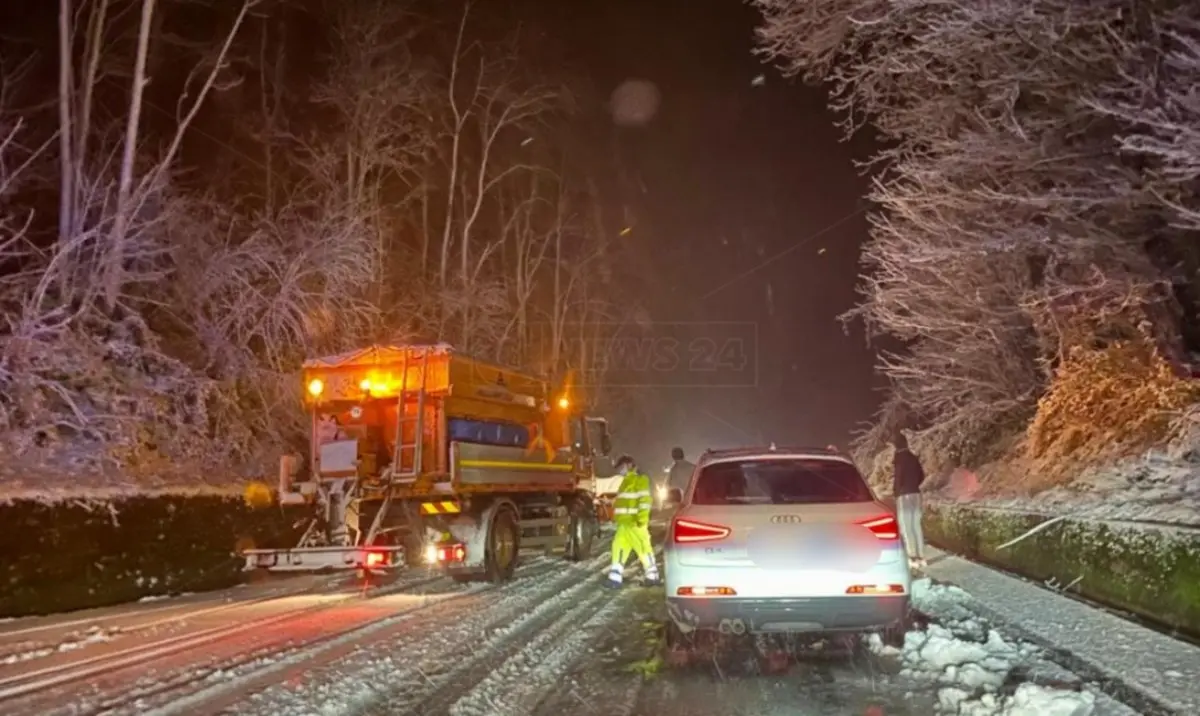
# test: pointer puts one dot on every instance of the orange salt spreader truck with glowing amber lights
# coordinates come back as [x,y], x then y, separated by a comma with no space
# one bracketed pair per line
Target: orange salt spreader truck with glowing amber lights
[421,455]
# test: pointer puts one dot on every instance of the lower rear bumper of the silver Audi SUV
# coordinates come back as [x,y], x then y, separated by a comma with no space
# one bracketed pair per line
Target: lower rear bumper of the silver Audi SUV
[833,613]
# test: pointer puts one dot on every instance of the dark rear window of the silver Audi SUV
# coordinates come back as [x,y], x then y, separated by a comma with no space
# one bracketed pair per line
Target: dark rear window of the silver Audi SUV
[781,483]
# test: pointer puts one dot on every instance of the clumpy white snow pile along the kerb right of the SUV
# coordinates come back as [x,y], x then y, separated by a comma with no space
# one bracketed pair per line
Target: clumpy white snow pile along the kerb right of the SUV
[973,665]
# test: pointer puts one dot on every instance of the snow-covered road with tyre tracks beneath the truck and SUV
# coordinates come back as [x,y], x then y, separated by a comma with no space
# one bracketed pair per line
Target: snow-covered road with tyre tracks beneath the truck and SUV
[550,642]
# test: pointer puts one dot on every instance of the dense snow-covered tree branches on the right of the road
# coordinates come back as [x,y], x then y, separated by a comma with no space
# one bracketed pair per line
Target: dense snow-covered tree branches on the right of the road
[1037,188]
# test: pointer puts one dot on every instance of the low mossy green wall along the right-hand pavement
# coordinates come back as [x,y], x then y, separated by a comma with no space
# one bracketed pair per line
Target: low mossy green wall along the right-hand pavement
[1148,570]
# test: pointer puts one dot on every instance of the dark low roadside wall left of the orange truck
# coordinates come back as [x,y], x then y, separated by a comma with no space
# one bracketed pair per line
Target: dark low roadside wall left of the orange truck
[76,555]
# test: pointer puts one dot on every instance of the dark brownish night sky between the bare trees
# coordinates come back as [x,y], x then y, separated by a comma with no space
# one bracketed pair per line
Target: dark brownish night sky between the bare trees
[737,175]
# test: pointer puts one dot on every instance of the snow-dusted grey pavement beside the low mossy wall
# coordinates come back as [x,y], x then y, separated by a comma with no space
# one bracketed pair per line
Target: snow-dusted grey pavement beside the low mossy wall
[1150,670]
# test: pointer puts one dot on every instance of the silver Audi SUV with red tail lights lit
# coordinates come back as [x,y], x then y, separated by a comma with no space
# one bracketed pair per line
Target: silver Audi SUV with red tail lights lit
[784,540]
